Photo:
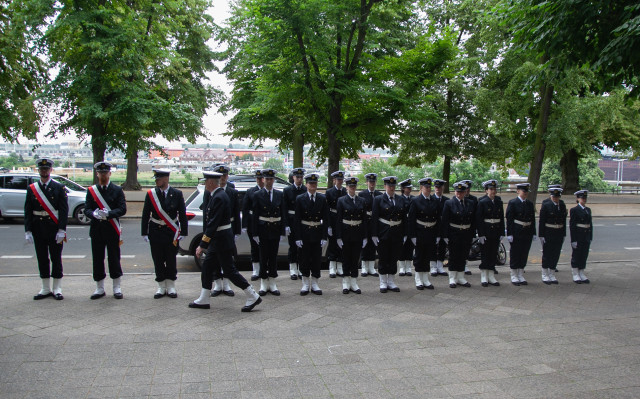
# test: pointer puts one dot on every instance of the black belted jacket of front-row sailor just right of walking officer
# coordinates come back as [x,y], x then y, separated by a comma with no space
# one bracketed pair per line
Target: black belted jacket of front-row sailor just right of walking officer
[265,208]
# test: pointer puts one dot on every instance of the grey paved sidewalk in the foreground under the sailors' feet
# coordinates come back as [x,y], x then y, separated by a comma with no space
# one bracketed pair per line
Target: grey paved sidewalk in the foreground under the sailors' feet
[535,341]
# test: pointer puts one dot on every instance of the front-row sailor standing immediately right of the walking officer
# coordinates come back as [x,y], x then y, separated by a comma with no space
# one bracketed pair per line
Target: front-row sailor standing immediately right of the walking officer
[268,227]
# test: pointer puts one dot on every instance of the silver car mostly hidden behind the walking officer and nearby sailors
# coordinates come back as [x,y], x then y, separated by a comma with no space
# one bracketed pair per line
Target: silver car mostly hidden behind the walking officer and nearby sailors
[194,214]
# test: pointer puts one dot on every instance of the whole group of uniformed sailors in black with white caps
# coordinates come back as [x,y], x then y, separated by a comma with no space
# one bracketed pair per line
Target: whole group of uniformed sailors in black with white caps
[410,235]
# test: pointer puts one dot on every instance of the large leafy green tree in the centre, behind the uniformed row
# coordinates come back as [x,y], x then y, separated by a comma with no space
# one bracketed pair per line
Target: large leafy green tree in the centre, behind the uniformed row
[325,72]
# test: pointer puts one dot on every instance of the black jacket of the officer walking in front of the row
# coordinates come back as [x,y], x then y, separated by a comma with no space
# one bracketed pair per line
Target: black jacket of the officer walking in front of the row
[217,214]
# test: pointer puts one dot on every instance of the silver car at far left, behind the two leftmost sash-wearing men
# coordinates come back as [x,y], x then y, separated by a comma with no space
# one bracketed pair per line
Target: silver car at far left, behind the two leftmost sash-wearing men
[13,191]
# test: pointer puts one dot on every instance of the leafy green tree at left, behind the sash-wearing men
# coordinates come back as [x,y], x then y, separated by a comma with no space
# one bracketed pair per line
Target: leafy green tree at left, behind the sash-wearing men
[130,71]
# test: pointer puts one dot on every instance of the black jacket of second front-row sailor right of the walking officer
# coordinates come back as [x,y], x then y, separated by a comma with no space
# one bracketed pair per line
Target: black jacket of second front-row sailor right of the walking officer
[318,211]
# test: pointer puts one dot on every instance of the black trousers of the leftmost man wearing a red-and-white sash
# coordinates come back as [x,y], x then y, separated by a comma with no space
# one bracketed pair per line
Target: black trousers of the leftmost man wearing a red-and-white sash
[47,250]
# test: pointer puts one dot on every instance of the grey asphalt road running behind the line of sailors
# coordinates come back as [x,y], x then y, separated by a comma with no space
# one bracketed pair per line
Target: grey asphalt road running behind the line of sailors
[615,239]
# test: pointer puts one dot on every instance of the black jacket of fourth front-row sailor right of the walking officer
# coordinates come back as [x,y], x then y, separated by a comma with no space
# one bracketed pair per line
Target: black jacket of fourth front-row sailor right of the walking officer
[383,208]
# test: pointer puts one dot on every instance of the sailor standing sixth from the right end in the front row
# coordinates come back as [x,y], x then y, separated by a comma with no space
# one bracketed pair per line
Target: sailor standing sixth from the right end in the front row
[423,230]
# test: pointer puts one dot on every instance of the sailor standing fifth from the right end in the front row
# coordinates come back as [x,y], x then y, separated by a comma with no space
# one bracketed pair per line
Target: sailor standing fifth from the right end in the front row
[458,227]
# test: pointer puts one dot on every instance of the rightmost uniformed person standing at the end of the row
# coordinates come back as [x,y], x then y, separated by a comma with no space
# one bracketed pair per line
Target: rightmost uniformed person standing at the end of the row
[581,230]
